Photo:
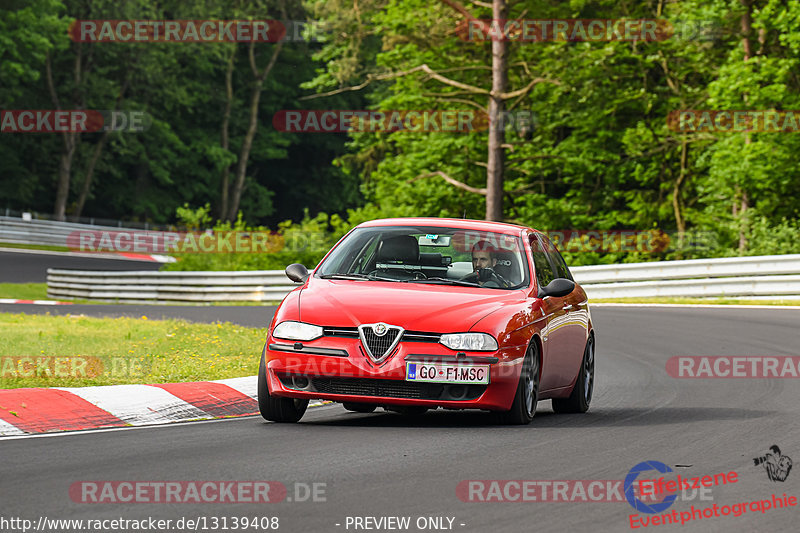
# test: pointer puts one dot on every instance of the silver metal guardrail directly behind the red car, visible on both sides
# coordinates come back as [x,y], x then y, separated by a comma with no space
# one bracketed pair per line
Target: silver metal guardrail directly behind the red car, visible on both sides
[755,277]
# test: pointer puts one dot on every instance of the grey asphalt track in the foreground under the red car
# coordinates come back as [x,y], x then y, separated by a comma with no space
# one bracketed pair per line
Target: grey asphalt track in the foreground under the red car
[387,465]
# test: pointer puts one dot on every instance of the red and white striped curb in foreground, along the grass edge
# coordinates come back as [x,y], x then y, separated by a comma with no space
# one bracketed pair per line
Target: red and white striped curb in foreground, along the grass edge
[44,410]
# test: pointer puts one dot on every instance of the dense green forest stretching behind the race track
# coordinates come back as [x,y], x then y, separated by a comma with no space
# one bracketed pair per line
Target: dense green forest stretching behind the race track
[577,132]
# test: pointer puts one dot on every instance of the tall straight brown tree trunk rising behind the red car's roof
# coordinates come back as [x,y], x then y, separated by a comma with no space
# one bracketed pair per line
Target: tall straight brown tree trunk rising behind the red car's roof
[497,136]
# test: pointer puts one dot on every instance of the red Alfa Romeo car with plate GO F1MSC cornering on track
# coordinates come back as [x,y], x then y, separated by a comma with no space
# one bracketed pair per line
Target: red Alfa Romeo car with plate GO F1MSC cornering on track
[414,314]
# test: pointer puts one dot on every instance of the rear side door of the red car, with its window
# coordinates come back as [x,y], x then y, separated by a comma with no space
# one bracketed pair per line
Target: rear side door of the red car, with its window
[576,320]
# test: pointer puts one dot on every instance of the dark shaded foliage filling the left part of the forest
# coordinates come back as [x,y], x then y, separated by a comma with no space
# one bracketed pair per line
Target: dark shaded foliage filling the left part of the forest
[146,175]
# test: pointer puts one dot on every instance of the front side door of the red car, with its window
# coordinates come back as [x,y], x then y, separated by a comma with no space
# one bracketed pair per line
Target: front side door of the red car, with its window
[555,367]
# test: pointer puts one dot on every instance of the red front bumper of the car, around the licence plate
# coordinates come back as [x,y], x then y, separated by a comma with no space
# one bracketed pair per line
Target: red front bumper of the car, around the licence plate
[337,369]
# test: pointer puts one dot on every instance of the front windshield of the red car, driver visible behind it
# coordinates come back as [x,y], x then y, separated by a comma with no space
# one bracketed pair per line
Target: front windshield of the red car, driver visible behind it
[429,255]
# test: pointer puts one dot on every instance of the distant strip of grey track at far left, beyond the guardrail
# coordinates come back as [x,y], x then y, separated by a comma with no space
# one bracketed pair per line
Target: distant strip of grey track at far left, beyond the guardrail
[30,266]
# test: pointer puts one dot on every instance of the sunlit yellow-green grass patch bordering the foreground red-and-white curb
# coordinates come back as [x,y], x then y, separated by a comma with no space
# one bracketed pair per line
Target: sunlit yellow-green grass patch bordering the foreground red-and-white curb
[76,351]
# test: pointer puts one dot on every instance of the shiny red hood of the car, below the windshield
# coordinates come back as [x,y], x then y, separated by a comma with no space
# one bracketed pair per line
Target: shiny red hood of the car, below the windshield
[414,307]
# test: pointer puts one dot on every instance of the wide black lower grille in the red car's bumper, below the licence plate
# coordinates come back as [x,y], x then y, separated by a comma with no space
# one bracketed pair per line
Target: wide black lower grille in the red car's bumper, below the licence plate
[385,388]
